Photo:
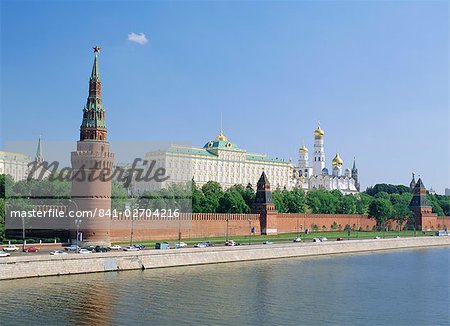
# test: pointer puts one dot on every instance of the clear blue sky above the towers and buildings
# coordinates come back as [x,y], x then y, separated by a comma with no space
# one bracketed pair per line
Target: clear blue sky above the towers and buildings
[374,73]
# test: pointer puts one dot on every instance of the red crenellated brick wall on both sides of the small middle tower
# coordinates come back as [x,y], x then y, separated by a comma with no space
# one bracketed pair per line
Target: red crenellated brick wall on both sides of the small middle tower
[215,225]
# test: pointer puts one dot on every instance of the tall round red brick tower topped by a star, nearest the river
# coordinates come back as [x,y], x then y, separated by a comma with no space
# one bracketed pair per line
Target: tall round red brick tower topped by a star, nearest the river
[92,163]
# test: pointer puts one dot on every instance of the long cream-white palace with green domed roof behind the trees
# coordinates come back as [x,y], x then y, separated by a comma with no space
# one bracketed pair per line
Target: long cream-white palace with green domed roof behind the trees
[218,160]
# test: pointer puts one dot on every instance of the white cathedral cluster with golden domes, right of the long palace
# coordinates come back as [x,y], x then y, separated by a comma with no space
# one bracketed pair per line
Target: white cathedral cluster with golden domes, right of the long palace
[318,176]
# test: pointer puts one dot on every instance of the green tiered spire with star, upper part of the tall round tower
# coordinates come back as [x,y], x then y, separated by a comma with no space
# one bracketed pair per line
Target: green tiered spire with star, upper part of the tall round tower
[93,126]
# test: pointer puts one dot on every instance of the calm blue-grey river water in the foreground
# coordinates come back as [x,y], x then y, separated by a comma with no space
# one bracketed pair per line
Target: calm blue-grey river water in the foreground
[407,287]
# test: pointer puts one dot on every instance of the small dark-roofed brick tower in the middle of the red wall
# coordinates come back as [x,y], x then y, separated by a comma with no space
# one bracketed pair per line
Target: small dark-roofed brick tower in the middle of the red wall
[264,206]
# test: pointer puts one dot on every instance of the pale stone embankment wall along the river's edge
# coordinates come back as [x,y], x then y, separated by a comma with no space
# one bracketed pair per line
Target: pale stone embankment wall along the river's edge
[43,265]
